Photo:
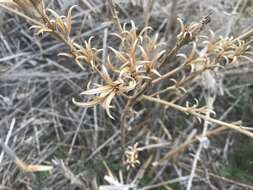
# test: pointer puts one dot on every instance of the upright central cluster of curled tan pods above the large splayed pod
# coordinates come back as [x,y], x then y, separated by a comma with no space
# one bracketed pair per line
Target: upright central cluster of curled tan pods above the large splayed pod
[139,53]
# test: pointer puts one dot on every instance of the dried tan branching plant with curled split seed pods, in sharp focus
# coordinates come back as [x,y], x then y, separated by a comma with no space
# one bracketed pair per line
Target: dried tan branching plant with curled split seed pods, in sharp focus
[134,68]
